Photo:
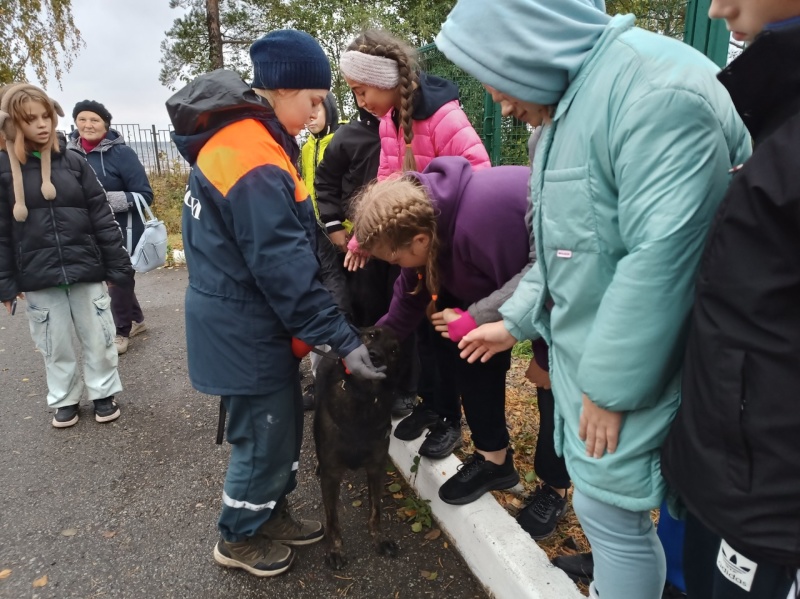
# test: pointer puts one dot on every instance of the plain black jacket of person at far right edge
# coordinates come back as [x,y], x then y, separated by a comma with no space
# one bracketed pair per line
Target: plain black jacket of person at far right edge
[733,452]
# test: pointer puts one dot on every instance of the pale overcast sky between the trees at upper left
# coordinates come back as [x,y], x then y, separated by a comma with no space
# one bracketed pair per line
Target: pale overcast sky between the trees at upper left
[120,63]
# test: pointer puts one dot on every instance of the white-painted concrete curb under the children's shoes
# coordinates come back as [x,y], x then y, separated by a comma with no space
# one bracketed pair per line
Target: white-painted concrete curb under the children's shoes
[501,555]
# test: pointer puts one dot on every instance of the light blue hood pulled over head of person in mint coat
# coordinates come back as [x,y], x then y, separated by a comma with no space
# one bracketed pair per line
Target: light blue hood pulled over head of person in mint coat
[528,49]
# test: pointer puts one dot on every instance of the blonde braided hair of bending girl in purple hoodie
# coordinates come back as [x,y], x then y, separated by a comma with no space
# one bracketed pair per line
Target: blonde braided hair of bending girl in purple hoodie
[390,213]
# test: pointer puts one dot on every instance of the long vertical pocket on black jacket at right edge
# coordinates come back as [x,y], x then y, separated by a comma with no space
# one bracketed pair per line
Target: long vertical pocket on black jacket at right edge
[732,404]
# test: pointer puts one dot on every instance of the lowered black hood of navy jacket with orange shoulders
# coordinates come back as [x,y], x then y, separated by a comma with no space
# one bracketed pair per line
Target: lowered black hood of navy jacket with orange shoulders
[213,101]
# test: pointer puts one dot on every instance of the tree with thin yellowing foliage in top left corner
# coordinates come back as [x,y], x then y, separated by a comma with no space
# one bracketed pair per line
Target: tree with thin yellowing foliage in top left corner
[37,34]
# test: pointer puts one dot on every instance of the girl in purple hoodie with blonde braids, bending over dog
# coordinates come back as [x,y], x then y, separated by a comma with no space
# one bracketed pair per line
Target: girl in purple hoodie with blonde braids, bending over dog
[460,239]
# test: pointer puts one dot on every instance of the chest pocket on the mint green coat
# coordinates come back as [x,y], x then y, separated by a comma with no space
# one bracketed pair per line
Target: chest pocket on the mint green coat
[568,219]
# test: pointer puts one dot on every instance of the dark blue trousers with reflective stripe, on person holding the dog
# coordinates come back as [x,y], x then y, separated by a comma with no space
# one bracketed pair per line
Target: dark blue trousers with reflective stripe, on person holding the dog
[266,432]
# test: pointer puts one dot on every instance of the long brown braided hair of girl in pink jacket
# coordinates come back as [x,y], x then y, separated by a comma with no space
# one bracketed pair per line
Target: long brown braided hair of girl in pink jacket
[378,42]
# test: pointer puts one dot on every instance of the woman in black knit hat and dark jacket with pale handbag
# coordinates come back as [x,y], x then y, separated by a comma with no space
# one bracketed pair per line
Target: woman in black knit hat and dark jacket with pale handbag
[122,175]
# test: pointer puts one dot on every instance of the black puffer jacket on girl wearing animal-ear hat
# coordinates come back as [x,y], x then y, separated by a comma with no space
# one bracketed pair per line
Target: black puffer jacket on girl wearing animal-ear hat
[71,239]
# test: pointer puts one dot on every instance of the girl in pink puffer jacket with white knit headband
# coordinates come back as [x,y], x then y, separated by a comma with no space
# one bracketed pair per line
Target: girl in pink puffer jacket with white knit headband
[420,119]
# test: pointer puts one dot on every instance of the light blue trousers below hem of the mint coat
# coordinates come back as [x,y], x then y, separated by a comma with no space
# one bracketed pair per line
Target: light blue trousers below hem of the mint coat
[628,557]
